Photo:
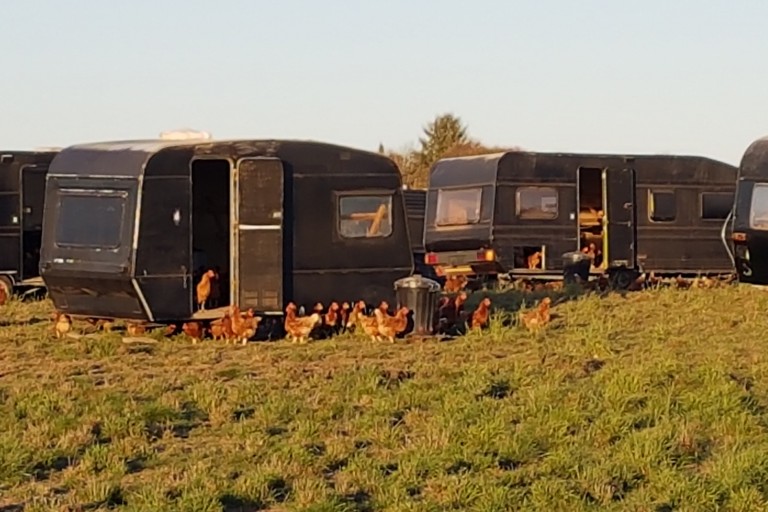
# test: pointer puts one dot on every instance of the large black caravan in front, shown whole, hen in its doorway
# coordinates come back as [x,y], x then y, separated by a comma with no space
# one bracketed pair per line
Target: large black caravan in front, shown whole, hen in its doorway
[131,226]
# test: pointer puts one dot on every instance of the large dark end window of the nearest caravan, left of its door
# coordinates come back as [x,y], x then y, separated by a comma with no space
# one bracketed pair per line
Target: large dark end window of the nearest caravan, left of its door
[90,219]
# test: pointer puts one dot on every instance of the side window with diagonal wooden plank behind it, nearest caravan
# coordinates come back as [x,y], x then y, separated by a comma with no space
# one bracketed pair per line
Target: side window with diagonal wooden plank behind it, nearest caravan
[365,216]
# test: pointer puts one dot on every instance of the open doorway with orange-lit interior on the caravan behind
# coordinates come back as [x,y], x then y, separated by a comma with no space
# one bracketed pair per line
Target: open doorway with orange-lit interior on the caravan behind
[590,200]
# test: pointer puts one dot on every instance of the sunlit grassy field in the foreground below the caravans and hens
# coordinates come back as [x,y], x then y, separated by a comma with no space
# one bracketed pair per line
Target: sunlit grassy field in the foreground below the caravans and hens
[650,401]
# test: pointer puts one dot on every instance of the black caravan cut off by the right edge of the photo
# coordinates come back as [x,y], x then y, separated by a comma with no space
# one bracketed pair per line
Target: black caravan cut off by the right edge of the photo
[750,215]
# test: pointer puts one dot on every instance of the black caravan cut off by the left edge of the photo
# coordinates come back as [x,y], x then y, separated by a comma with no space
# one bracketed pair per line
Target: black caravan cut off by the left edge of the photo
[22,193]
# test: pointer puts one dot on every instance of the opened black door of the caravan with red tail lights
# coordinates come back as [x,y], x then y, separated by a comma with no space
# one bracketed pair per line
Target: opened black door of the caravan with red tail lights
[619,220]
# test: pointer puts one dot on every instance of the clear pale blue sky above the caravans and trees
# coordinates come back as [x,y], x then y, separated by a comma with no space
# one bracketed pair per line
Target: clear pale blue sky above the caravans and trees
[675,76]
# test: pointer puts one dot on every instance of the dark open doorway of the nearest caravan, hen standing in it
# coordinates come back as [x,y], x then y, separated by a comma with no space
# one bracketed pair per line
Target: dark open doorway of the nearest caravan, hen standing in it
[211,225]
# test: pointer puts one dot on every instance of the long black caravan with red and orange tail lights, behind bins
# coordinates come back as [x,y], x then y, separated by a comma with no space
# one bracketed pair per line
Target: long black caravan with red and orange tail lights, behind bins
[519,212]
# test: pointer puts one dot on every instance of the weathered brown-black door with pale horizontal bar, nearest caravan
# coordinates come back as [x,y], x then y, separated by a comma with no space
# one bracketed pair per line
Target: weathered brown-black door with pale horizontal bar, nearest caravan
[257,280]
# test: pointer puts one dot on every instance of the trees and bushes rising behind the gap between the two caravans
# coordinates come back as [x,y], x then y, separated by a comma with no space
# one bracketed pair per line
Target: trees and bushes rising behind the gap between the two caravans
[444,137]
